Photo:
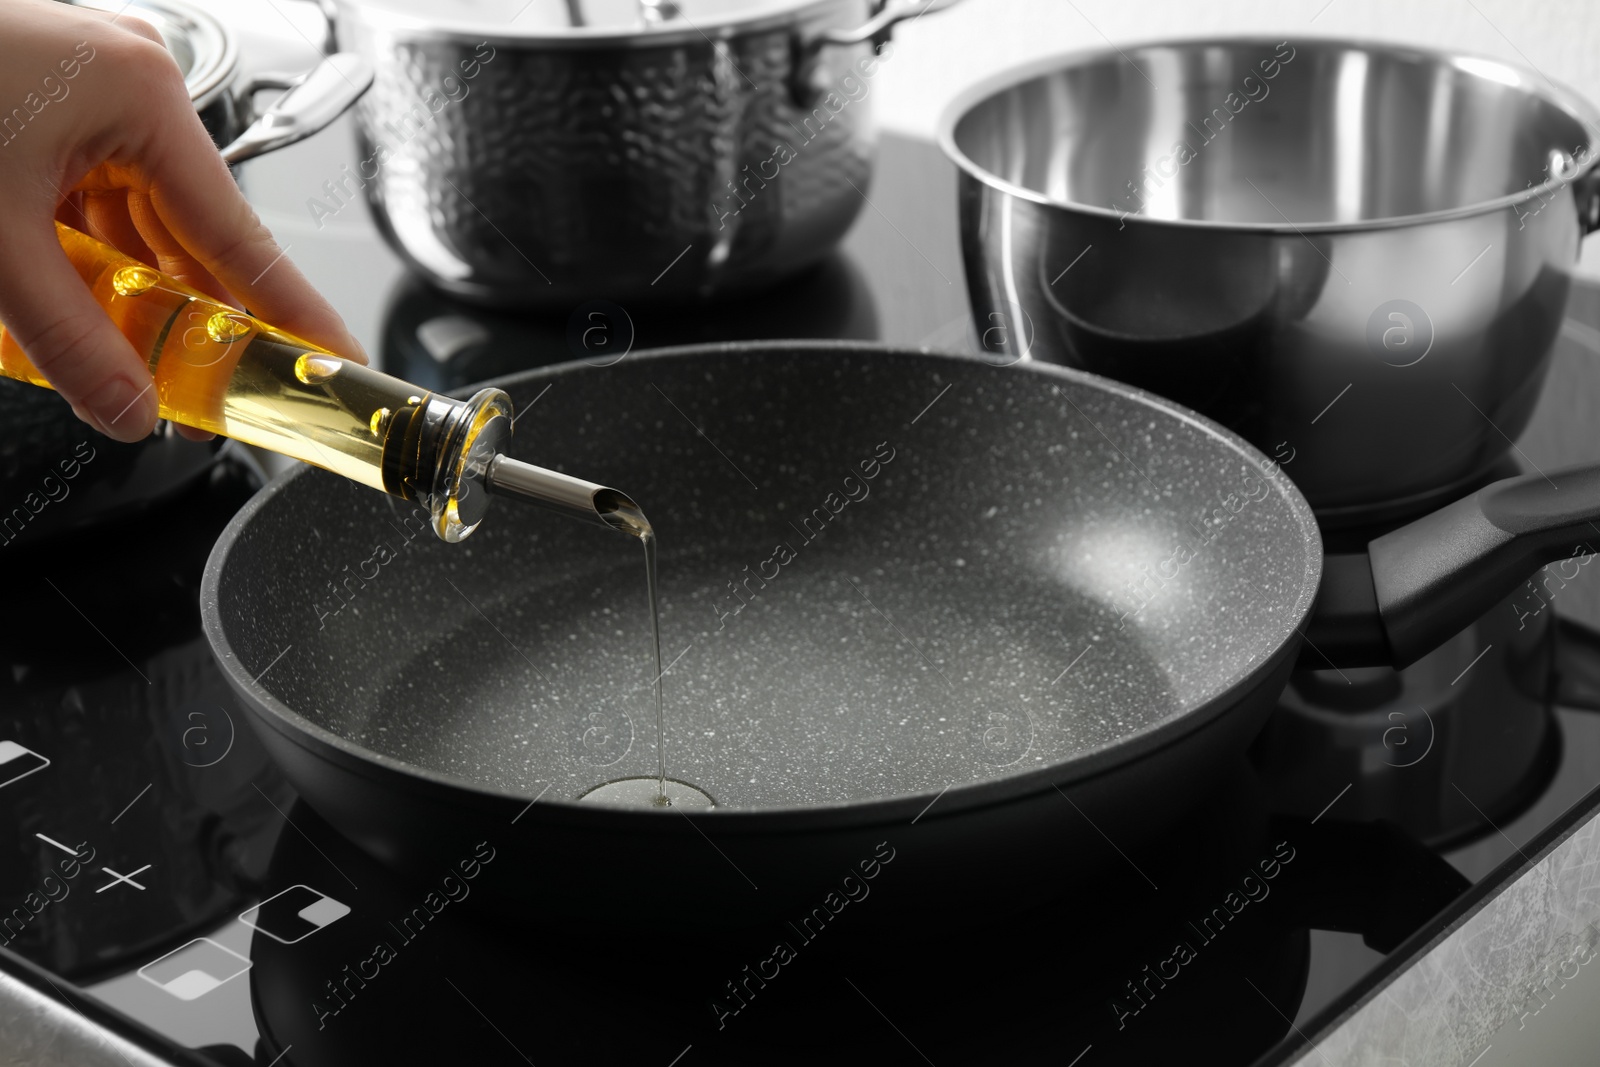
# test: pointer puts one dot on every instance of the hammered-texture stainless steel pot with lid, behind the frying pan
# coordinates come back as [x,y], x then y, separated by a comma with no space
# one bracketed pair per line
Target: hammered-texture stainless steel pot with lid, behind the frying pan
[658,151]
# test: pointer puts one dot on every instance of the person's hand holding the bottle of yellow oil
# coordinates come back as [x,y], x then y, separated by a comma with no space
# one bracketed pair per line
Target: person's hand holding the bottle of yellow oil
[97,129]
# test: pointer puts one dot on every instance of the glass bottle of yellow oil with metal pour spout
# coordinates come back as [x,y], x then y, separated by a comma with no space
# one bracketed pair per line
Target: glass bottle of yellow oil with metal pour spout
[220,370]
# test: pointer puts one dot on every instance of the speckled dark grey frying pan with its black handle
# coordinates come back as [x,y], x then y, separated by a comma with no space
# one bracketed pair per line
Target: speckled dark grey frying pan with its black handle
[1025,617]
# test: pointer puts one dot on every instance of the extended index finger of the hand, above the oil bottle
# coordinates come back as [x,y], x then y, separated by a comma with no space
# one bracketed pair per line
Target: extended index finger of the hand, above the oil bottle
[209,220]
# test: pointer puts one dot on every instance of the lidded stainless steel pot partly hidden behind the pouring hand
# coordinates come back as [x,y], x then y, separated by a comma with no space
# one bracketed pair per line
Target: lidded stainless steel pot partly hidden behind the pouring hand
[42,438]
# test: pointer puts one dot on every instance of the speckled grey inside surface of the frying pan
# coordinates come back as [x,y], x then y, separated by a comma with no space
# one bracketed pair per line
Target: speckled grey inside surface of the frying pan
[946,573]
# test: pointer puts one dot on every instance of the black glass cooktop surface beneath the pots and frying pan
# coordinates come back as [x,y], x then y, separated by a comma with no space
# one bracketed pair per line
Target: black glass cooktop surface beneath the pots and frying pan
[164,884]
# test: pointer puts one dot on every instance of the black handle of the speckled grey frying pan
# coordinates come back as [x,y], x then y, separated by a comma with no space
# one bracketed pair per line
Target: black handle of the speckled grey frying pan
[1425,583]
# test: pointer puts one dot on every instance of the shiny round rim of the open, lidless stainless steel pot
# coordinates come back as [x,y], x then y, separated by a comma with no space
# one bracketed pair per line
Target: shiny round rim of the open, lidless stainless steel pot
[1554,94]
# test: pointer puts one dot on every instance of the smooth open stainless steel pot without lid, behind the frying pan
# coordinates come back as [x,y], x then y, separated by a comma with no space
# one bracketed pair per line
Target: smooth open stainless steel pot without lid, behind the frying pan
[1356,255]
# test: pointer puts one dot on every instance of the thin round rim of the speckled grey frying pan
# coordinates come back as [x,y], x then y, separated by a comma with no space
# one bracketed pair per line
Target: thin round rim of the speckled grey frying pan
[263,706]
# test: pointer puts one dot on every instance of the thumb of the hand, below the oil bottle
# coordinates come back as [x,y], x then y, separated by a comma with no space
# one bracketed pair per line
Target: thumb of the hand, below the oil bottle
[70,338]
